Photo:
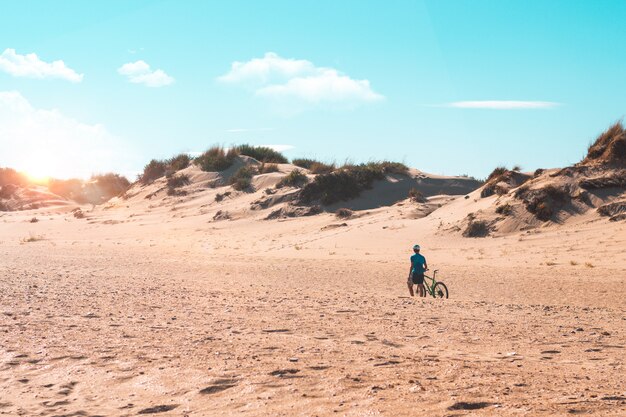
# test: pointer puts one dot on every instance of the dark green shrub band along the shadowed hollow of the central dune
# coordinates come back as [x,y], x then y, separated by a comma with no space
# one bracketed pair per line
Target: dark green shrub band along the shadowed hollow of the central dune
[348,182]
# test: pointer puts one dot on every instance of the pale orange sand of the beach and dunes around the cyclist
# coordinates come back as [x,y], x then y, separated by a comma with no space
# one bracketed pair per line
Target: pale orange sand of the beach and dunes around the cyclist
[214,302]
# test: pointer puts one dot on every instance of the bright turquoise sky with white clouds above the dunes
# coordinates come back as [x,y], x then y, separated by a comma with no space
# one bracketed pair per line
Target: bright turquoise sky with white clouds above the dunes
[452,87]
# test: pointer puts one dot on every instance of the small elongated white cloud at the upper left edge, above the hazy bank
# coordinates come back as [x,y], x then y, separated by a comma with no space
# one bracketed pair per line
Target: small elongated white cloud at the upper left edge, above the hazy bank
[31,66]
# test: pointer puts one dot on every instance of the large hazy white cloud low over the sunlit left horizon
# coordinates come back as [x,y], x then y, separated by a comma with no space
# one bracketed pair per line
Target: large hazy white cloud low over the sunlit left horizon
[48,143]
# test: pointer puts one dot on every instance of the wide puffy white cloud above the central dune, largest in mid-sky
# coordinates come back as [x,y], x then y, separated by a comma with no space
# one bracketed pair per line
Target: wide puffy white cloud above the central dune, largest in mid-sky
[299,81]
